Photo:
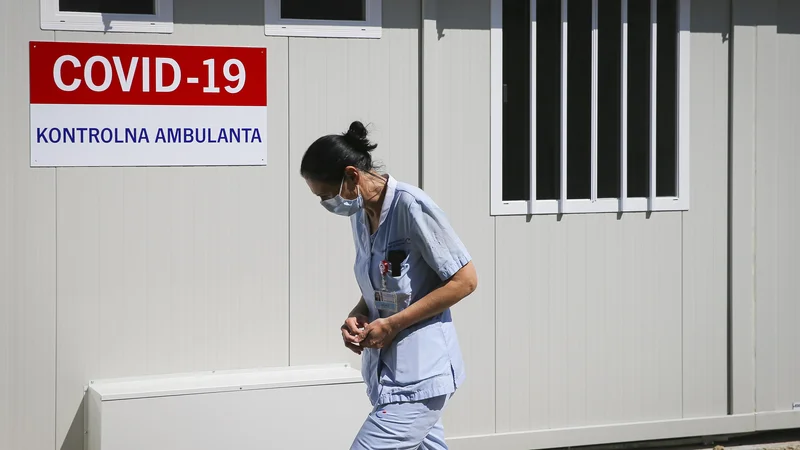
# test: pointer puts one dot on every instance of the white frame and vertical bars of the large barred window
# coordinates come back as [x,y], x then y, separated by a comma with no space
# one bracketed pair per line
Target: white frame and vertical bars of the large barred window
[592,205]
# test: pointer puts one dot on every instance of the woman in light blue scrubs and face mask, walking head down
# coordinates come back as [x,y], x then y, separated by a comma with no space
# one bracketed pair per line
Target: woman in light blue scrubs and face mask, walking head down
[411,268]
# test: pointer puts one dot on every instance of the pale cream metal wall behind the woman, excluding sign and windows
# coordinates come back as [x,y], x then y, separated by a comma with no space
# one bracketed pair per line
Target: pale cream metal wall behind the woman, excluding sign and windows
[587,320]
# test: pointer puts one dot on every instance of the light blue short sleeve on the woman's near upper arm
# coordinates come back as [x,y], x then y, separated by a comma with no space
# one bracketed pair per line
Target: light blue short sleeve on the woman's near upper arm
[435,239]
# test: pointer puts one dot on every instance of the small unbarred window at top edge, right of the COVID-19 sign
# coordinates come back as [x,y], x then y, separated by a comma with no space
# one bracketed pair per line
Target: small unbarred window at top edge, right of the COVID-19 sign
[323,18]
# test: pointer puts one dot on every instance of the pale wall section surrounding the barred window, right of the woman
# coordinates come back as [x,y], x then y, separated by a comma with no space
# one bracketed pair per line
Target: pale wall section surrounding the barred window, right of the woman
[598,319]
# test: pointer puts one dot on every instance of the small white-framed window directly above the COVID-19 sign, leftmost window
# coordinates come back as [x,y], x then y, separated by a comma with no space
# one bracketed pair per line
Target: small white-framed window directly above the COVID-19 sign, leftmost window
[144,16]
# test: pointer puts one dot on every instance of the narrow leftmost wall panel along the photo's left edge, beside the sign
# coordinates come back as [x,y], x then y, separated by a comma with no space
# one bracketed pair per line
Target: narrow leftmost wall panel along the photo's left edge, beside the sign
[27,250]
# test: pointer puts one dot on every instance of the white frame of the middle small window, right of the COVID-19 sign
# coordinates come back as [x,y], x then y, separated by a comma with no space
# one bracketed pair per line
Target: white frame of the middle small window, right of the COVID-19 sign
[369,28]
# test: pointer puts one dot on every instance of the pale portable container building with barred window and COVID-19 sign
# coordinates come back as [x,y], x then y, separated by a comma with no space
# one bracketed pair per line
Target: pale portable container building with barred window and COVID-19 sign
[624,173]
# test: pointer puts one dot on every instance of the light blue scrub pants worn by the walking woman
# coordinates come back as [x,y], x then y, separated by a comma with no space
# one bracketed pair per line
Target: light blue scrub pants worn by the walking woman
[404,426]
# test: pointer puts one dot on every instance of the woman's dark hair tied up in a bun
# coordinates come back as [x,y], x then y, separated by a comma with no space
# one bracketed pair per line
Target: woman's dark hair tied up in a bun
[326,159]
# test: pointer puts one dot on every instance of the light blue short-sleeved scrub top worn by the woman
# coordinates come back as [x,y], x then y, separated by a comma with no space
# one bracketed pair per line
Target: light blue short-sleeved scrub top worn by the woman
[424,360]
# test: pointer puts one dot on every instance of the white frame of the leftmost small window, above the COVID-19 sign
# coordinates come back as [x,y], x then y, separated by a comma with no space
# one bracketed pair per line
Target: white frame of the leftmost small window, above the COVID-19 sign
[54,19]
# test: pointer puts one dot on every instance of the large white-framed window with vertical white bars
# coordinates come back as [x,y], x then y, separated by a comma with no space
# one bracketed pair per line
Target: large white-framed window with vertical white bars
[590,107]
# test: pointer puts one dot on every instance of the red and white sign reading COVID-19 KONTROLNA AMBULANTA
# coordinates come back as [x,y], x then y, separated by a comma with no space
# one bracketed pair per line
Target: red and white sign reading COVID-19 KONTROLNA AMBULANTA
[147,105]
